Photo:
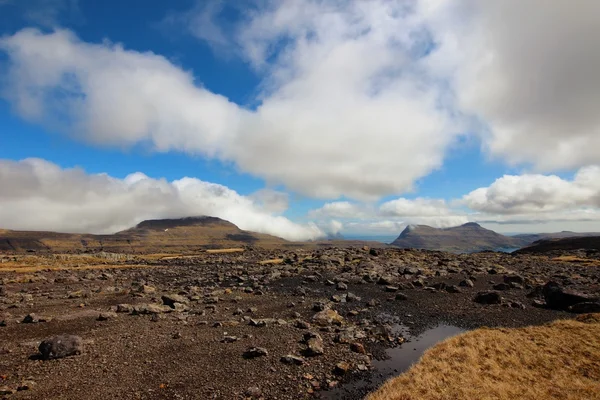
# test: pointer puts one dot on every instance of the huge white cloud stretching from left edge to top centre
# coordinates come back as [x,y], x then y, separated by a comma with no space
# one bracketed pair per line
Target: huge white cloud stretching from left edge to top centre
[345,110]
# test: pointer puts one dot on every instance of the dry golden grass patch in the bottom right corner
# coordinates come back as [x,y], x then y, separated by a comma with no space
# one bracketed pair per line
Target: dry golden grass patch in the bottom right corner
[560,360]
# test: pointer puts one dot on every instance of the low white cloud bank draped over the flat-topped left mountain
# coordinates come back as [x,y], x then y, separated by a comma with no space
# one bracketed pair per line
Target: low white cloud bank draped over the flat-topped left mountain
[39,195]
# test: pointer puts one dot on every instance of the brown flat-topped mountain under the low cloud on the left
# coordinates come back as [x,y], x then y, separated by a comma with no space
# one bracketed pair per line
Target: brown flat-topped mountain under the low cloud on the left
[151,236]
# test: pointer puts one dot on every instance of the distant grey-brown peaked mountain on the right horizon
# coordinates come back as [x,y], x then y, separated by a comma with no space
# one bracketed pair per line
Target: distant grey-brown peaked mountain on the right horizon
[466,238]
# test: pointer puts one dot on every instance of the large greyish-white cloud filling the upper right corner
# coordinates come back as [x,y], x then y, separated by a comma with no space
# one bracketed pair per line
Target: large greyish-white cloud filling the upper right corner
[530,71]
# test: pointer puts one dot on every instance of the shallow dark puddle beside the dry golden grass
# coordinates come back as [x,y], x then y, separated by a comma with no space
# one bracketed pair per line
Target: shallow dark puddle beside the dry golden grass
[399,360]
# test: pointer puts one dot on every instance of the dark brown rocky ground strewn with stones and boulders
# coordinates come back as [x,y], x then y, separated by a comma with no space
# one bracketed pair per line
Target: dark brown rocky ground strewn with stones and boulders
[260,323]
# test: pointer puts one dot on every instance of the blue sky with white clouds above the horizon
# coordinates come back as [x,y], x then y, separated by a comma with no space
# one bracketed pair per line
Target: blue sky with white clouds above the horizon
[300,118]
